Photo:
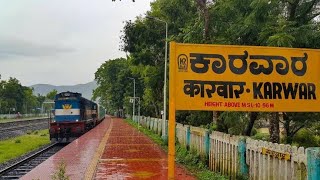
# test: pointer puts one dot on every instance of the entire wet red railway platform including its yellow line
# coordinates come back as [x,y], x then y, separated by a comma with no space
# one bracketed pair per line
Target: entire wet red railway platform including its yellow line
[112,150]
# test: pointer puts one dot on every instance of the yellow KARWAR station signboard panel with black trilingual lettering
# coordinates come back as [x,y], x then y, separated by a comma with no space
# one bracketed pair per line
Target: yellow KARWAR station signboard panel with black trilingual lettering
[244,78]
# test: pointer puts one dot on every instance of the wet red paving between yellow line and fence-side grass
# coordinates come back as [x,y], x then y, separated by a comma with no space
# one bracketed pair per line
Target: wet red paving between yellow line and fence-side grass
[129,154]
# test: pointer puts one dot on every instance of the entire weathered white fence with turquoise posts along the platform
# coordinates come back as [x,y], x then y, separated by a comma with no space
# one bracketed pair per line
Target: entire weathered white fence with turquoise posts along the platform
[237,155]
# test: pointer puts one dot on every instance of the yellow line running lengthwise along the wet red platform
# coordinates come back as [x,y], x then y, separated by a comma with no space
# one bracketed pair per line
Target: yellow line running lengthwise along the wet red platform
[90,172]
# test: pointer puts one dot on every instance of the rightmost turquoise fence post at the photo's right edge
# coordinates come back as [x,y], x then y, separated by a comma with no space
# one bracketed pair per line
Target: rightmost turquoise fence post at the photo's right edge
[313,163]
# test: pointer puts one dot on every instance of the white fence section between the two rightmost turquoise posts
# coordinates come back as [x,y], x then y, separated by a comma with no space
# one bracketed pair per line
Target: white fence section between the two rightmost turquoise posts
[273,165]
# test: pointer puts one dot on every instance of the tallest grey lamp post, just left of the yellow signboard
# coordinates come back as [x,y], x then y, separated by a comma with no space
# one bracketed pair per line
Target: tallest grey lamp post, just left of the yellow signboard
[164,132]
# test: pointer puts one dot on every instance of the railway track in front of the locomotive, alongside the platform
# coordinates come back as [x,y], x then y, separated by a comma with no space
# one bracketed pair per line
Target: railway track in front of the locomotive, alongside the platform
[22,167]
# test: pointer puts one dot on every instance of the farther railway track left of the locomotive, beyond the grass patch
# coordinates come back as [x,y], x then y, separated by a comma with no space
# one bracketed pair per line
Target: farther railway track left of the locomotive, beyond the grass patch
[16,128]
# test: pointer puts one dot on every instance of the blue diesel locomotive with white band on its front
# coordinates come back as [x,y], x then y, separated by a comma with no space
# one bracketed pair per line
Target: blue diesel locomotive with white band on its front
[74,115]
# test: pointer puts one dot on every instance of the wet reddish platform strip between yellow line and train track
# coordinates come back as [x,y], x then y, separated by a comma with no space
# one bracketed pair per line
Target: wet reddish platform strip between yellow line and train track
[77,156]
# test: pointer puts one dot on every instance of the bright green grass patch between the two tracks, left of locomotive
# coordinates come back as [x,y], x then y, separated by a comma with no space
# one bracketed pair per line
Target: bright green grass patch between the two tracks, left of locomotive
[15,147]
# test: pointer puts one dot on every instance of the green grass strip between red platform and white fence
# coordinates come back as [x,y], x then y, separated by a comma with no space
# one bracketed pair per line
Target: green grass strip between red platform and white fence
[189,159]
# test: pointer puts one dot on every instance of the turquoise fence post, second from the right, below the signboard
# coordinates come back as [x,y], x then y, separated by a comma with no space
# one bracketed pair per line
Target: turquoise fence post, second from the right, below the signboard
[242,156]
